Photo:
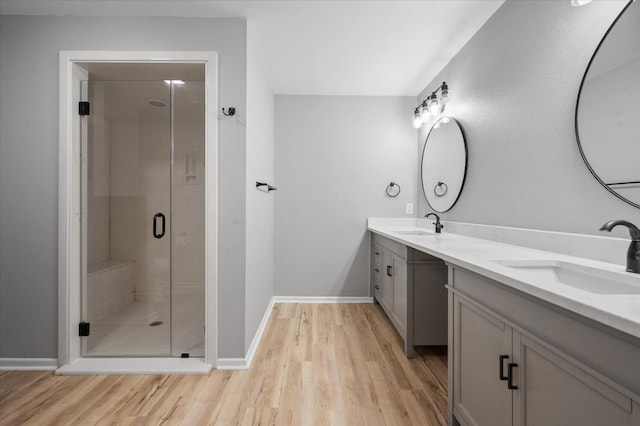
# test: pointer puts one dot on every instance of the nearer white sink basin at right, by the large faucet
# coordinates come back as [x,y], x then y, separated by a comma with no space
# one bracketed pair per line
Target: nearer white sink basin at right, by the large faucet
[582,277]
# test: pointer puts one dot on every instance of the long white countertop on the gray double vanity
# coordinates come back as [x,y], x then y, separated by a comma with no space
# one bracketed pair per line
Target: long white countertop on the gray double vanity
[618,311]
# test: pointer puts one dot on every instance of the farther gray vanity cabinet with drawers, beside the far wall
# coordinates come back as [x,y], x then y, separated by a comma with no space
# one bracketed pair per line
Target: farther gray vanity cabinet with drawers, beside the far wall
[410,287]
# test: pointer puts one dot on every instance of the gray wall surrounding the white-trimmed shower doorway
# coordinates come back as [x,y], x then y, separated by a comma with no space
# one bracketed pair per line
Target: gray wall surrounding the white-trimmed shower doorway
[29,49]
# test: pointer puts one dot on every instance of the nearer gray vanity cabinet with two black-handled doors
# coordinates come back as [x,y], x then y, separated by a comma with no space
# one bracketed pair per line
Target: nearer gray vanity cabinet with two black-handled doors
[507,368]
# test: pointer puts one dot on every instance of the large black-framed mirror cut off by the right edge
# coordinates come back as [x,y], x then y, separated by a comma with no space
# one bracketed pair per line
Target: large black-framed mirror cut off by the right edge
[608,109]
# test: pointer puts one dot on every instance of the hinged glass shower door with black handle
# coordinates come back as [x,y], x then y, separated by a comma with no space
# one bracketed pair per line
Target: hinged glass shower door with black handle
[126,194]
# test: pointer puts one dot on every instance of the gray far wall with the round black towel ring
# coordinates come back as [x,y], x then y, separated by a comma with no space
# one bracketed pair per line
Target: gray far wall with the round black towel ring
[334,157]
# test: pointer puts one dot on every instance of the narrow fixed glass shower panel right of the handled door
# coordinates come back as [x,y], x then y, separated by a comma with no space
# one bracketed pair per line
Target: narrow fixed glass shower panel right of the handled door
[188,220]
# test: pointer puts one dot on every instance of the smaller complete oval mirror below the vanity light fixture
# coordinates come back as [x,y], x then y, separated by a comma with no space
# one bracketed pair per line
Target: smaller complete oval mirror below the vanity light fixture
[444,164]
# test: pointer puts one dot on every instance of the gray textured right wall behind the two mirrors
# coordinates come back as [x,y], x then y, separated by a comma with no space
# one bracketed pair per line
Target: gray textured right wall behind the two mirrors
[514,89]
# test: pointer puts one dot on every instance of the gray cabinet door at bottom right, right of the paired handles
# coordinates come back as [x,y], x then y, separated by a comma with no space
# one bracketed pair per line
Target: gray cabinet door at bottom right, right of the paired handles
[552,391]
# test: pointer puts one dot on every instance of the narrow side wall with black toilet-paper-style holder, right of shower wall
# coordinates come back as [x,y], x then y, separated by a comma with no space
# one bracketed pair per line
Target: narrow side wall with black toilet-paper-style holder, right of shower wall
[260,205]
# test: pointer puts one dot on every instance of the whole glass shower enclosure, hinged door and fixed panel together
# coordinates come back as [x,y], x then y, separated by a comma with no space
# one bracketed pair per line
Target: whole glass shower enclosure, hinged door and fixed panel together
[143,239]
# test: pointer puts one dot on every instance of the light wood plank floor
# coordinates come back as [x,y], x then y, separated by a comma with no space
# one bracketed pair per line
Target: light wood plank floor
[318,364]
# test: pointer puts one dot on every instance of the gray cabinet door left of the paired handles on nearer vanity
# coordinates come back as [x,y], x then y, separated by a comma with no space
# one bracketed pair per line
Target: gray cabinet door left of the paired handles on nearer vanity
[480,396]
